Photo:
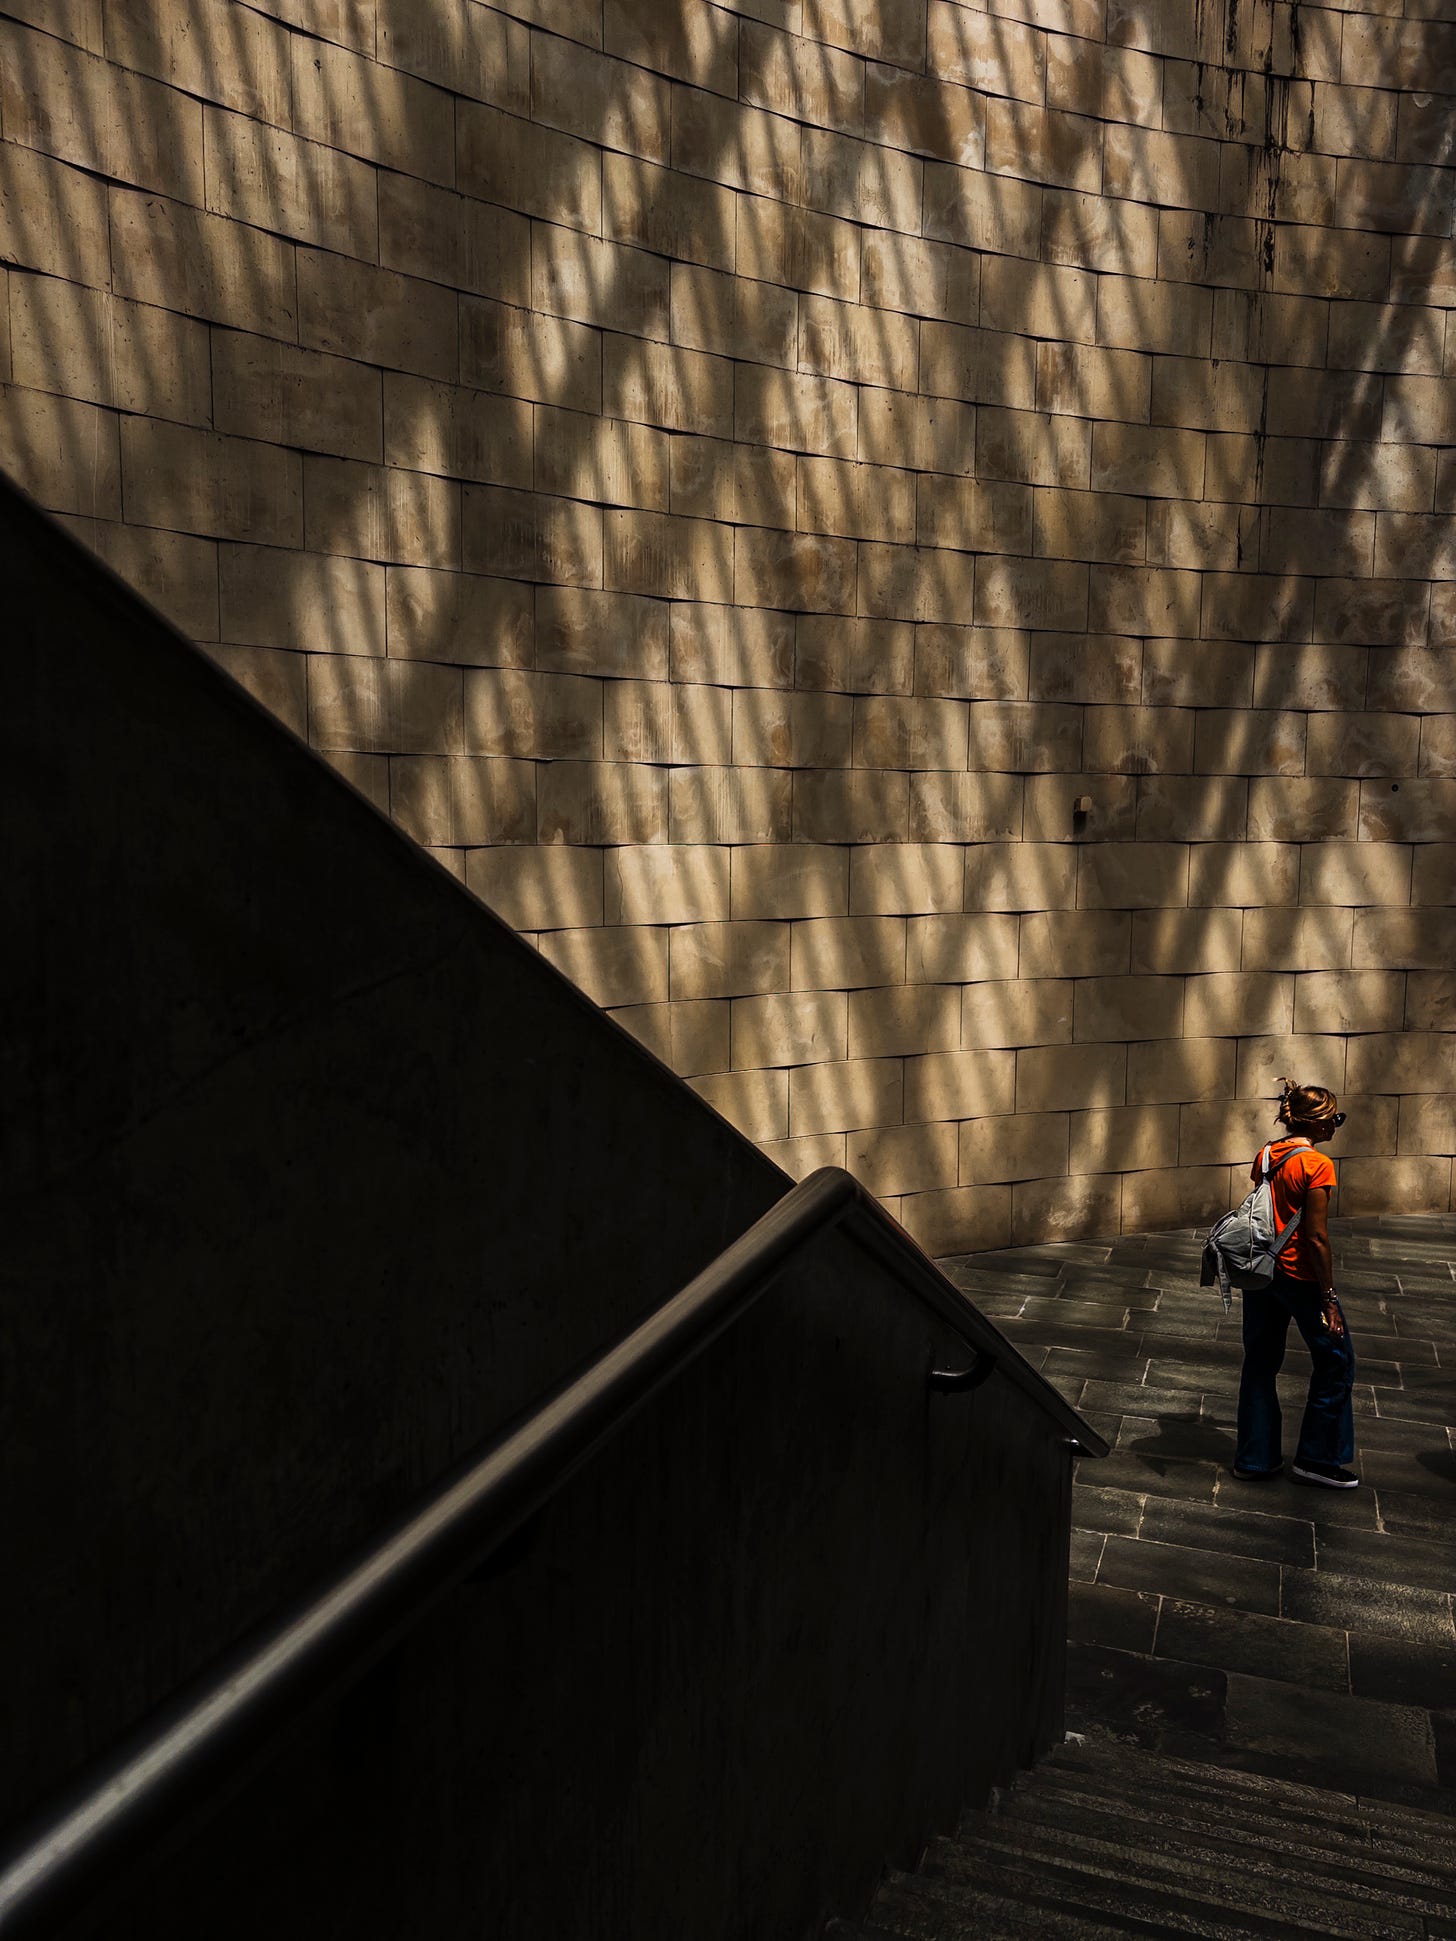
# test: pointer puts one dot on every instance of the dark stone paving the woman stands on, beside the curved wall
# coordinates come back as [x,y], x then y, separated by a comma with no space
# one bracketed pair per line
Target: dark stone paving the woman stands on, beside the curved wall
[1274,1628]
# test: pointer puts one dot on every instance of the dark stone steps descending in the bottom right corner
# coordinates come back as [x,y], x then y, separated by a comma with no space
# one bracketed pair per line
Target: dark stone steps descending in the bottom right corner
[1113,1841]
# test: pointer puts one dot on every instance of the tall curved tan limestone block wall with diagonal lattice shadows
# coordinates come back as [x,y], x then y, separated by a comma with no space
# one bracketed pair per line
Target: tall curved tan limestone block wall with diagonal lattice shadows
[908,544]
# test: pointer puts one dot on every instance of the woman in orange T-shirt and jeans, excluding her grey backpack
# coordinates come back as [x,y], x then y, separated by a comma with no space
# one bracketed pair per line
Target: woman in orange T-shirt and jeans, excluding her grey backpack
[1302,1290]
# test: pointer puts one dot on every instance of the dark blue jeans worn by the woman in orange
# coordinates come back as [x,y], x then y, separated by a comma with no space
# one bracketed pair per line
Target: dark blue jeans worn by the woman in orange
[1329,1430]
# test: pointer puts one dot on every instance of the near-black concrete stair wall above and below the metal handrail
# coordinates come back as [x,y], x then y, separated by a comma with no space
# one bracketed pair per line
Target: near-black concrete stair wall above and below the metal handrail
[314,1177]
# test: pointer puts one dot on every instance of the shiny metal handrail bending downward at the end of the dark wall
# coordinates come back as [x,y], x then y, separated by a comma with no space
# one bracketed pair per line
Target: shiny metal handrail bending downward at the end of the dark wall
[218,1727]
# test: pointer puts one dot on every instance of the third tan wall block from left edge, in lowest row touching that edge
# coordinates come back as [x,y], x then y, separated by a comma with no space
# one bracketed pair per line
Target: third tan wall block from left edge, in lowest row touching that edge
[383,513]
